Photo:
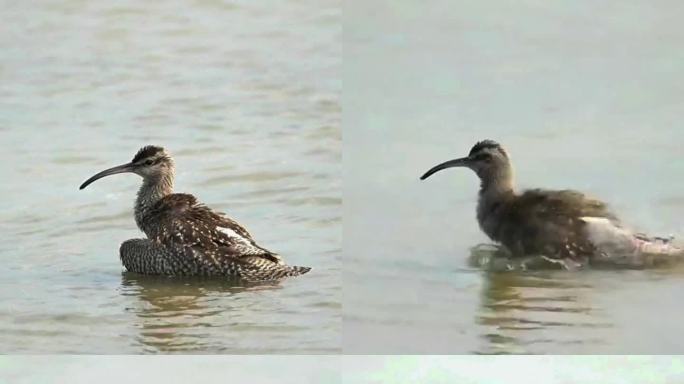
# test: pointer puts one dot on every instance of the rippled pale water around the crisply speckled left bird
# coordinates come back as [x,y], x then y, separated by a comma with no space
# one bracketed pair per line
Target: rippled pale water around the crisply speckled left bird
[246,97]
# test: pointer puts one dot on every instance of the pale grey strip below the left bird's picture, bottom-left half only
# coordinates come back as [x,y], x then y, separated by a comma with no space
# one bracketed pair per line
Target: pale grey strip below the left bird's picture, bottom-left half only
[317,369]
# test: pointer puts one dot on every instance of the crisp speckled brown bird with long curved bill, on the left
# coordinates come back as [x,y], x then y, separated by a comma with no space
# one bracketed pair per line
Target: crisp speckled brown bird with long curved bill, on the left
[184,237]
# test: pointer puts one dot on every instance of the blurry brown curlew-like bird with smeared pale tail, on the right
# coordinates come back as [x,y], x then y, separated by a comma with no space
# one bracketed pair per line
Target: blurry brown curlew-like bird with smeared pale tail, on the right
[564,226]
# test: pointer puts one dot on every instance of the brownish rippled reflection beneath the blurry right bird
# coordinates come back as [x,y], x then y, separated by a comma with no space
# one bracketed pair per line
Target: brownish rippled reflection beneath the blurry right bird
[533,312]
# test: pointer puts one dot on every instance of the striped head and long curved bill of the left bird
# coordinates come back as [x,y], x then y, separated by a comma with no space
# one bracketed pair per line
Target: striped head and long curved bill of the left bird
[150,161]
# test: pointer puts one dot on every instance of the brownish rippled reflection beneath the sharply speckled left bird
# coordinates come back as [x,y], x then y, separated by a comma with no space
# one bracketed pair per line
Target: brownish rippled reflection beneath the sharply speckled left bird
[176,317]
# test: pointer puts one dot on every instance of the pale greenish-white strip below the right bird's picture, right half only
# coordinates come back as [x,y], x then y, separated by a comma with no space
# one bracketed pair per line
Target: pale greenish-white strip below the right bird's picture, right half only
[513,369]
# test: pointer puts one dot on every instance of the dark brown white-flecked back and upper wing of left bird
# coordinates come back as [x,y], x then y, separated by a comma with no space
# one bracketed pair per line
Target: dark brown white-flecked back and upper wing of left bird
[186,223]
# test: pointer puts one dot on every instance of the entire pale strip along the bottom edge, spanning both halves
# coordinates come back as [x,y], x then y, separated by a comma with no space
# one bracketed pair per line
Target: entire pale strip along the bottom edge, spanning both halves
[352,369]
